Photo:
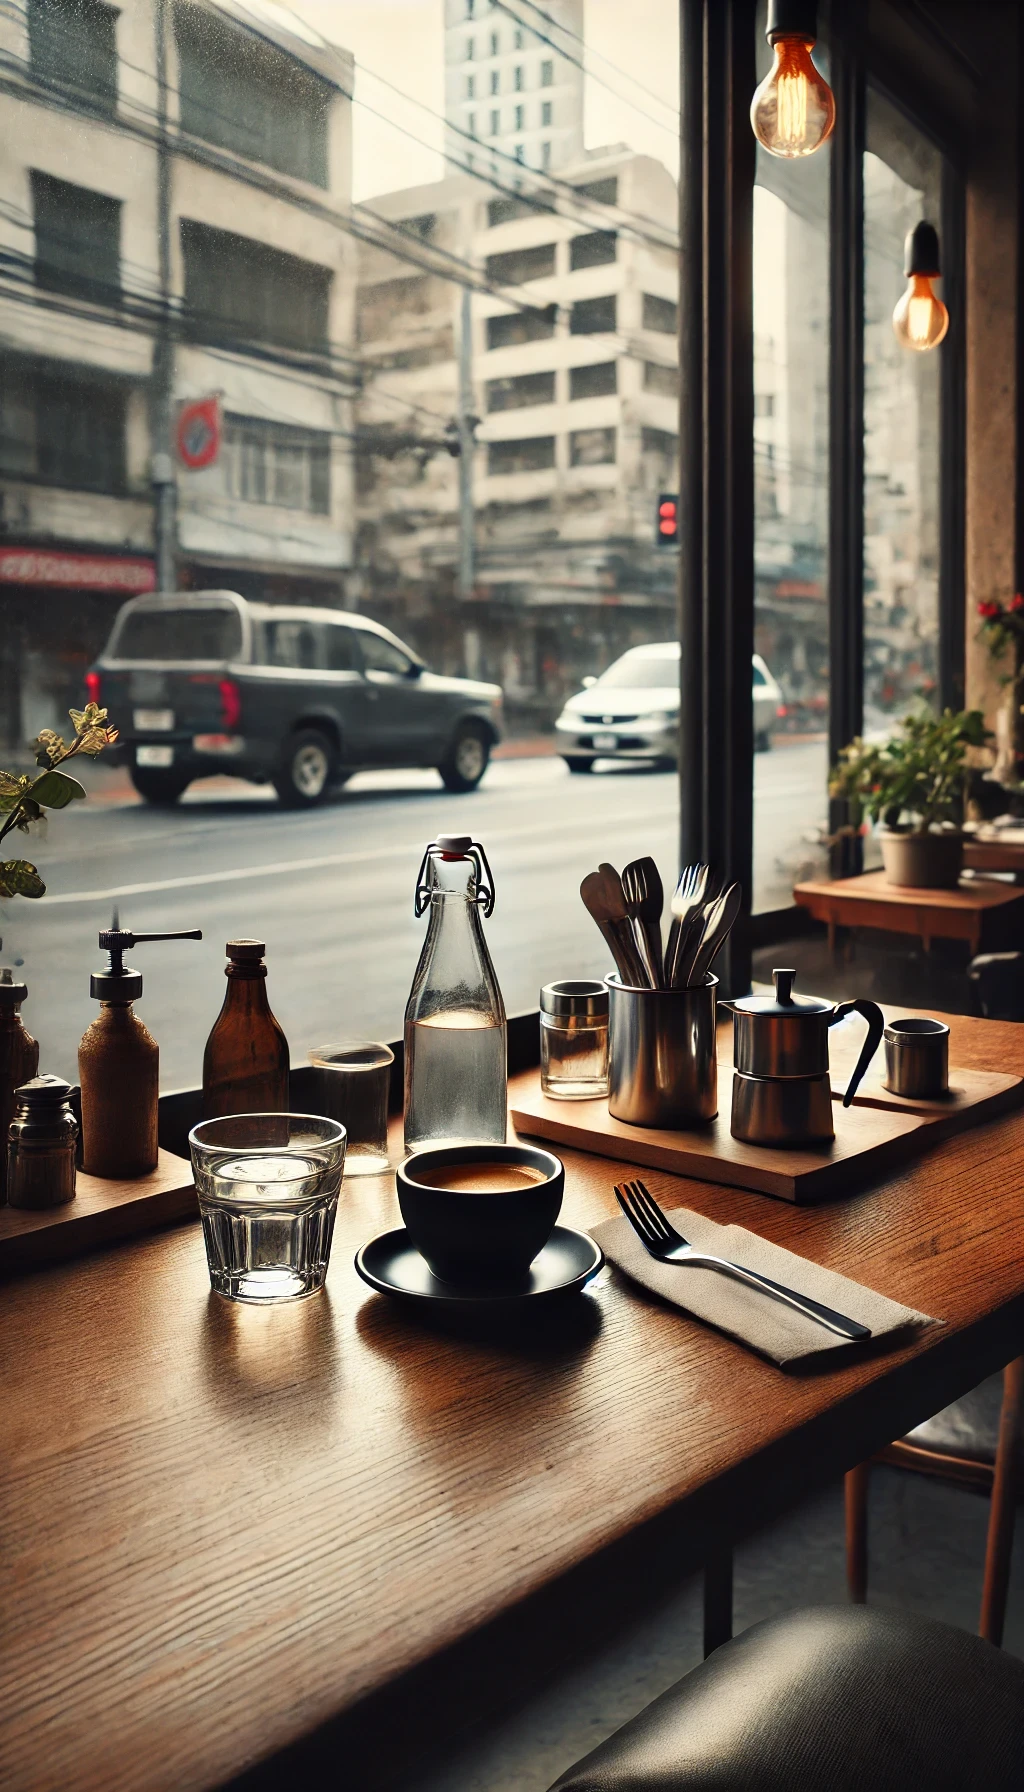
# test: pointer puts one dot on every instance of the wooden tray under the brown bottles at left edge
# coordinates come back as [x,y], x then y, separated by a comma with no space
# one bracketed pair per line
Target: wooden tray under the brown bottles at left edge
[101,1214]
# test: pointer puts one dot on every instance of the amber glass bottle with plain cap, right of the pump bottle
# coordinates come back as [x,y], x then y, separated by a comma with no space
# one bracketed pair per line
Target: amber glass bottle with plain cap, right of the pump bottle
[247,1060]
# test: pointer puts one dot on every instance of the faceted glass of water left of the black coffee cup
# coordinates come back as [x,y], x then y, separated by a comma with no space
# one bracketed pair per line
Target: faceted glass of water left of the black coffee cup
[268,1193]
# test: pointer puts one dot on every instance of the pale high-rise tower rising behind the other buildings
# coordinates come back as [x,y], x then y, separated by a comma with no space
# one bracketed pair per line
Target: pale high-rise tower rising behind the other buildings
[514,87]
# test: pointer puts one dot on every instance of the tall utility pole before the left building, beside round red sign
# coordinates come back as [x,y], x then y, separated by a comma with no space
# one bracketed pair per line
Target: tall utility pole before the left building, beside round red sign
[162,401]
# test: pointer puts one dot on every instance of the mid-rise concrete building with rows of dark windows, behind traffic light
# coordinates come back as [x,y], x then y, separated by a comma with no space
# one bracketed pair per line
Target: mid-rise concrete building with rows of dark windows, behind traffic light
[575,383]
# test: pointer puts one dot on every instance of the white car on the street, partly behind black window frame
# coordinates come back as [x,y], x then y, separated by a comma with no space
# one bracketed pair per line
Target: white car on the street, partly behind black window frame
[632,712]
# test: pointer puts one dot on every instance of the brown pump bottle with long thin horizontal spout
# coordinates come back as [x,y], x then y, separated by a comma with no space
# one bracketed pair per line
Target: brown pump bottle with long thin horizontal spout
[119,1069]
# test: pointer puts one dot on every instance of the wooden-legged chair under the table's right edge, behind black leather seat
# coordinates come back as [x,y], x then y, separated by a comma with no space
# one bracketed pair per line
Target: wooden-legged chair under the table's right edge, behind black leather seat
[978,1443]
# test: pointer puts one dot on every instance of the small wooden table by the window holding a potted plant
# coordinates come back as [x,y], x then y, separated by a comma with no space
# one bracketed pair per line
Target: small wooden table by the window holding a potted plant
[980,913]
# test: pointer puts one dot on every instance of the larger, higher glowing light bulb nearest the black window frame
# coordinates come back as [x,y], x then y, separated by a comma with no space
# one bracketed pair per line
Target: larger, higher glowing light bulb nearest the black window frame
[794,110]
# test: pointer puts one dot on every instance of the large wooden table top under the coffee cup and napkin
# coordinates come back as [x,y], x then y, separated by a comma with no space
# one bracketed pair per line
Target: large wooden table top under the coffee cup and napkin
[225,1528]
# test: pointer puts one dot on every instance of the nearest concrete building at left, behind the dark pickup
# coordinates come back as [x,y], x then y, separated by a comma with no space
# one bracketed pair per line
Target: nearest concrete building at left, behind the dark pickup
[162,243]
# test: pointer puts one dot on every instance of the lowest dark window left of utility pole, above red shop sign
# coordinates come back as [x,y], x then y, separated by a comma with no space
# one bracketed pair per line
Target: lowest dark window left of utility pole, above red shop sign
[62,426]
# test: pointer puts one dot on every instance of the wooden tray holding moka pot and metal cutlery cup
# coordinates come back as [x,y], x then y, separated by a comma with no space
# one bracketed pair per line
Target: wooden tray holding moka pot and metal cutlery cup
[869,1144]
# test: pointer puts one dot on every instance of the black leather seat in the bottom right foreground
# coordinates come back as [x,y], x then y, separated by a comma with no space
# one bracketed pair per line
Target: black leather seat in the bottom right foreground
[829,1700]
